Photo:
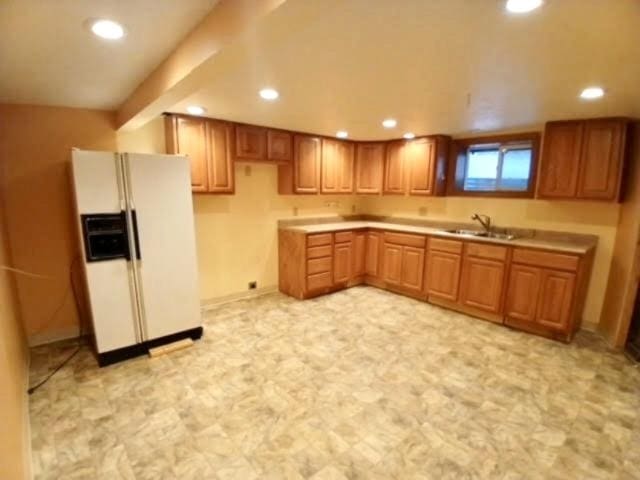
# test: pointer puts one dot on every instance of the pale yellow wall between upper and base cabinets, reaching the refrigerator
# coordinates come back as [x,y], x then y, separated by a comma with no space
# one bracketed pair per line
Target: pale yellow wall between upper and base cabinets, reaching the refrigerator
[236,235]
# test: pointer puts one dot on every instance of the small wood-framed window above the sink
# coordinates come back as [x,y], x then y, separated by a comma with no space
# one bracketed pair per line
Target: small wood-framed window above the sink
[497,166]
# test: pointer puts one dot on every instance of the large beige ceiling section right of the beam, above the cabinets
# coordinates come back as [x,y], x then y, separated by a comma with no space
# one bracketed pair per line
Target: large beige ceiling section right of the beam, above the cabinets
[438,66]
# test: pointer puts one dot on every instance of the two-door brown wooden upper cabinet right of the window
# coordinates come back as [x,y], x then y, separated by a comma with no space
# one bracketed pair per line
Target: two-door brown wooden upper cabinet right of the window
[583,159]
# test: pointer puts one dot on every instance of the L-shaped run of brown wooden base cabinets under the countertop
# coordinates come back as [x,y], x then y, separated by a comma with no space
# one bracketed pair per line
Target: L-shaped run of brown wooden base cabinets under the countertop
[538,291]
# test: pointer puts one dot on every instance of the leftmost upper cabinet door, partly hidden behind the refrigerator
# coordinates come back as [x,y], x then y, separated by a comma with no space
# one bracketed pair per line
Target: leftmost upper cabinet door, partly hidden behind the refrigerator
[190,139]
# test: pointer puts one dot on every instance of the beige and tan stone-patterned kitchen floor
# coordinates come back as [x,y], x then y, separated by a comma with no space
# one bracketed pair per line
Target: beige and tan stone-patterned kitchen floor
[361,384]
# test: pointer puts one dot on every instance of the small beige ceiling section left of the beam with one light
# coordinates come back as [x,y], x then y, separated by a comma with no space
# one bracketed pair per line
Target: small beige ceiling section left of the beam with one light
[49,57]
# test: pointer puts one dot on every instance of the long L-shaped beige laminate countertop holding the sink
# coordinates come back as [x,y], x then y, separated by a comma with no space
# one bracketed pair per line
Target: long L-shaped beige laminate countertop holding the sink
[556,241]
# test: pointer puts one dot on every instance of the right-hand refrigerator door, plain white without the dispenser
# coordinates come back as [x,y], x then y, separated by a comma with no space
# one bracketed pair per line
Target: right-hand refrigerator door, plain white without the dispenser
[160,195]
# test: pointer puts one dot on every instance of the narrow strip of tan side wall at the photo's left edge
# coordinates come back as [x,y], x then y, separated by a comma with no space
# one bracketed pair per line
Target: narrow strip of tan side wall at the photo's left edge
[14,441]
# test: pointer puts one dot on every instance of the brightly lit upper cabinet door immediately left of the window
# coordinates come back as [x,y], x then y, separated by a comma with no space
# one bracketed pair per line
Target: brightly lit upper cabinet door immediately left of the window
[421,162]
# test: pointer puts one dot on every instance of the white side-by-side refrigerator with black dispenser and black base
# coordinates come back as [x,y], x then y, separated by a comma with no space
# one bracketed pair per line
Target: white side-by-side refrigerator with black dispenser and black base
[135,219]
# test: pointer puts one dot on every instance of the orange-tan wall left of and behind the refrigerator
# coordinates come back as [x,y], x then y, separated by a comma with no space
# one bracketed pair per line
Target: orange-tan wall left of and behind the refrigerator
[35,146]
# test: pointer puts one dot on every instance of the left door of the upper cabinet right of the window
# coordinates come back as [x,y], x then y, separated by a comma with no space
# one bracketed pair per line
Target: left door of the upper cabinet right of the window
[560,159]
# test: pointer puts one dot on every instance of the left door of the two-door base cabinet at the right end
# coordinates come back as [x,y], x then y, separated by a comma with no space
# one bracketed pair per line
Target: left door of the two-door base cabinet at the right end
[523,292]
